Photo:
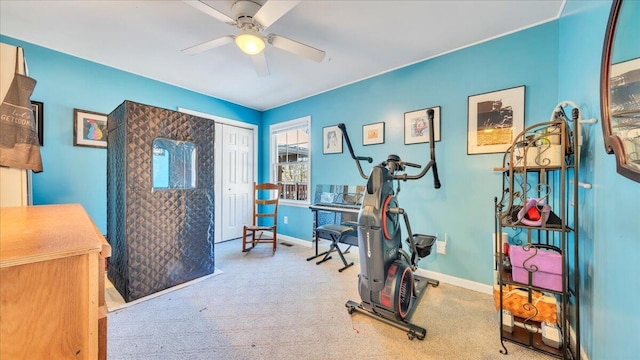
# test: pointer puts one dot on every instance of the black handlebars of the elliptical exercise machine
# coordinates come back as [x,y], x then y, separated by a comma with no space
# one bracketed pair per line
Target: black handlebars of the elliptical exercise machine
[430,165]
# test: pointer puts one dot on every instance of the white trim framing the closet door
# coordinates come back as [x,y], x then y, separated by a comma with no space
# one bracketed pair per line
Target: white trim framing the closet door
[218,151]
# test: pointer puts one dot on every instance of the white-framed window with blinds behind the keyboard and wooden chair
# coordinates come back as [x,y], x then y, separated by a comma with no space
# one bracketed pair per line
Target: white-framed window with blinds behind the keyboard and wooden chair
[290,162]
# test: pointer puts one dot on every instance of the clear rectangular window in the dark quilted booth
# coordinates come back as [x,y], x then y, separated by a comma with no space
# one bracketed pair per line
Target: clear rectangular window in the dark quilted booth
[174,164]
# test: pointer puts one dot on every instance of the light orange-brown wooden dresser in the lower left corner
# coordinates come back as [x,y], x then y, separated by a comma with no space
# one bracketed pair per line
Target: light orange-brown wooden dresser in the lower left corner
[51,284]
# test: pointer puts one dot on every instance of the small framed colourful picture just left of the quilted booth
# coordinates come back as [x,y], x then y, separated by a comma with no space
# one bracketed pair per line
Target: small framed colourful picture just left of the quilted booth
[89,129]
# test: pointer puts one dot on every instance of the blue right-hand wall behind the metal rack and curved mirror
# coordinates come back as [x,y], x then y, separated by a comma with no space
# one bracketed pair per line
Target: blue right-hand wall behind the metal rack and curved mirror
[609,226]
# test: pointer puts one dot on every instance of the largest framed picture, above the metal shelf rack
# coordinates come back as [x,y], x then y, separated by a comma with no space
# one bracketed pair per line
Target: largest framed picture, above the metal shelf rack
[495,119]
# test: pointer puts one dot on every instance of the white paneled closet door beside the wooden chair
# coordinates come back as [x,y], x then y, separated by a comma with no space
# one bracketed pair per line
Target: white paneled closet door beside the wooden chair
[236,164]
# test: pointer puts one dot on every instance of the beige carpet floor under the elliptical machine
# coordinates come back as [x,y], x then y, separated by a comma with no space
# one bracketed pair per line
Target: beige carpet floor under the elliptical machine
[263,305]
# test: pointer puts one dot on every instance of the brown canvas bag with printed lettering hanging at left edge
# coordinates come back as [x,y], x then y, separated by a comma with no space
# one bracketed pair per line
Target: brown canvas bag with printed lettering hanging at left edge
[19,146]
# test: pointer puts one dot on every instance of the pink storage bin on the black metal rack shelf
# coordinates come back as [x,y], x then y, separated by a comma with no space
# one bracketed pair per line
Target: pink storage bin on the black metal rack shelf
[548,263]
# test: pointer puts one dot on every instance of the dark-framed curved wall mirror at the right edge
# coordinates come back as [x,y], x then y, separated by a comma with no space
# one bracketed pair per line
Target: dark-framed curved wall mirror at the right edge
[620,87]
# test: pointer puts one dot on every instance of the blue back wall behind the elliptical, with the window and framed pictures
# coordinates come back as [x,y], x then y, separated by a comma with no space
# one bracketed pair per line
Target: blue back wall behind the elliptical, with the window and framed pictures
[463,207]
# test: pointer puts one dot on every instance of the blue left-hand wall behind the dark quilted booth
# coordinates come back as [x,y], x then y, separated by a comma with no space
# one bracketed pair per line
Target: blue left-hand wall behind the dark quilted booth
[78,174]
